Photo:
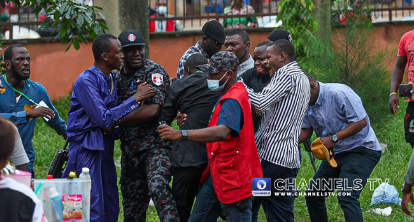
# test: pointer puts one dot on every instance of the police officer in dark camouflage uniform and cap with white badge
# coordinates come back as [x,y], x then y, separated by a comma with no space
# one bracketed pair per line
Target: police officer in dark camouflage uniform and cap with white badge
[146,159]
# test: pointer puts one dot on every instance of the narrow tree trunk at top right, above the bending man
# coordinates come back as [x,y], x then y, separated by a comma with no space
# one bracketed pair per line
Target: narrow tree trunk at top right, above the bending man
[323,17]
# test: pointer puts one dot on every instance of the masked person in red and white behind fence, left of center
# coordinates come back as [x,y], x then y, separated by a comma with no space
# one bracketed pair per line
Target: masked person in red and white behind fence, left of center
[163,25]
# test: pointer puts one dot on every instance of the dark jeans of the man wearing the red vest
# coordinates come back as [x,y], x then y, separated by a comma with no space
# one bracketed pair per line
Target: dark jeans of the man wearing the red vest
[209,208]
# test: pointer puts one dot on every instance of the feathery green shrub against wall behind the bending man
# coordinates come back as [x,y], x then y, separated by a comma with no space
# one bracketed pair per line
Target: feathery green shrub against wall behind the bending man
[355,61]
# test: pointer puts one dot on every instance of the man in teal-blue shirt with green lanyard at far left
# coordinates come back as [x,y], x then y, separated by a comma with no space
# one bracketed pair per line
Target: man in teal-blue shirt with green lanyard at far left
[20,101]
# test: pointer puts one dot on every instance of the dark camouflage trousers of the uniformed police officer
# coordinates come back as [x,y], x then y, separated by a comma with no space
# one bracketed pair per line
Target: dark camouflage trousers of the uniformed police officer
[150,179]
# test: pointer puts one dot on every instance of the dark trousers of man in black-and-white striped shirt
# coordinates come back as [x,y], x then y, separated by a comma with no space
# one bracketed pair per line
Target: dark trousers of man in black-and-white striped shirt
[276,208]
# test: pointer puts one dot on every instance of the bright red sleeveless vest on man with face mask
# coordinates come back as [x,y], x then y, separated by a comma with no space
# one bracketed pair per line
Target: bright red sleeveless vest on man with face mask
[234,162]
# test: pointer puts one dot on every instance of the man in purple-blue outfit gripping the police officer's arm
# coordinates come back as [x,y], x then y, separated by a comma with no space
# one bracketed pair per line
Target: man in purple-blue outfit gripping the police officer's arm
[91,125]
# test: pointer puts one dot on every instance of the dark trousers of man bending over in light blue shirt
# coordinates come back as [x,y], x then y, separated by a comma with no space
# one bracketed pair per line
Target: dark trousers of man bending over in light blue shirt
[353,165]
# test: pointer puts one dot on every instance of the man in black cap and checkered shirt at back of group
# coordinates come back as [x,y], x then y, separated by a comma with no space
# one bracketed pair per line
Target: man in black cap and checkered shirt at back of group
[212,41]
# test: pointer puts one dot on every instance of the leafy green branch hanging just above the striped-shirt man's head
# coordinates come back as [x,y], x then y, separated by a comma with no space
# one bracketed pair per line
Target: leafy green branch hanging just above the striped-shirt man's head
[299,20]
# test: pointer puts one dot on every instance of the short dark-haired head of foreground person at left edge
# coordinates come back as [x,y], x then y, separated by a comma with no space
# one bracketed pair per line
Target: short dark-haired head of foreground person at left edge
[7,138]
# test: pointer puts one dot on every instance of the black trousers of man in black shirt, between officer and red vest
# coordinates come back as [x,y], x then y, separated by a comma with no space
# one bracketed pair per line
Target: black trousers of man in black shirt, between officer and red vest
[185,186]
